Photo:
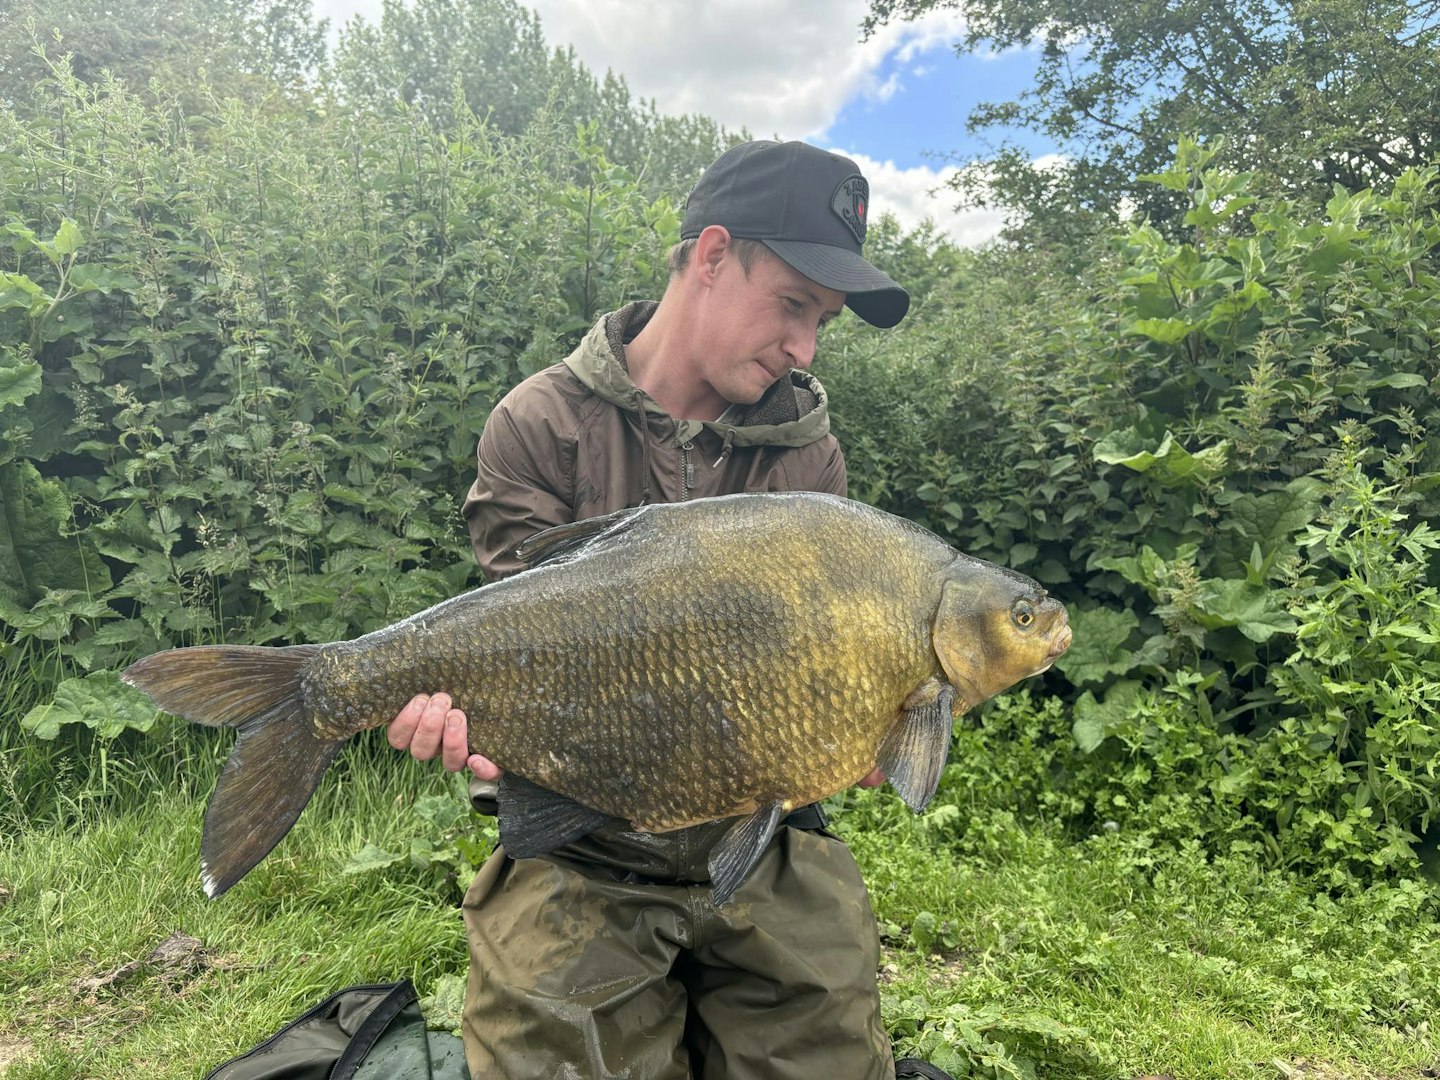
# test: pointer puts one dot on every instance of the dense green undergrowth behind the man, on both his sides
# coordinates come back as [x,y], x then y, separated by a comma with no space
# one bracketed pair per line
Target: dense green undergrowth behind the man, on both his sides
[246,356]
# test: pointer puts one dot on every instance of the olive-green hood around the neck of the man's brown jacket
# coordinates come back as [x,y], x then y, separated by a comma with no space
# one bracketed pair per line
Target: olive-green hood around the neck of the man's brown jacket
[794,413]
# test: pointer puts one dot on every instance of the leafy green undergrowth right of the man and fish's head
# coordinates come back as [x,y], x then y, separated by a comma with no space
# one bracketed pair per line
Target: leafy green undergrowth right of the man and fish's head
[1220,460]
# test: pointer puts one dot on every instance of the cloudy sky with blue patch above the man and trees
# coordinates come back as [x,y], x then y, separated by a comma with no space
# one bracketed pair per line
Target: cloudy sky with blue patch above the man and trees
[798,70]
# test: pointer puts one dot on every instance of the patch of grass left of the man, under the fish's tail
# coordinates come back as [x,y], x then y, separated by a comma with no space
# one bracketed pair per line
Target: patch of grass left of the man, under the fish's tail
[102,882]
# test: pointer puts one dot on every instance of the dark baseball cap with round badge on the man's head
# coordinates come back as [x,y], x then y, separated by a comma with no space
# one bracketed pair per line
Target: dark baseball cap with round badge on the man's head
[809,207]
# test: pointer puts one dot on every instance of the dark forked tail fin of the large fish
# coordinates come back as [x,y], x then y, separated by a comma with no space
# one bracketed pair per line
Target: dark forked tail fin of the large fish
[279,760]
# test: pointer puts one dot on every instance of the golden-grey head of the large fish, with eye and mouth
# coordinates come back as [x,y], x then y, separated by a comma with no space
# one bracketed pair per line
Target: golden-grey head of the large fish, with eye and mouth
[993,629]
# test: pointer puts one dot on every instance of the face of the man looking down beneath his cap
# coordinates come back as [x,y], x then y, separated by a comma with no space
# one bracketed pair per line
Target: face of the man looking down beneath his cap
[762,325]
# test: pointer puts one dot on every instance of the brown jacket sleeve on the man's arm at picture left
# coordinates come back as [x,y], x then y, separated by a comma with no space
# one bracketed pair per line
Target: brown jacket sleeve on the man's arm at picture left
[522,487]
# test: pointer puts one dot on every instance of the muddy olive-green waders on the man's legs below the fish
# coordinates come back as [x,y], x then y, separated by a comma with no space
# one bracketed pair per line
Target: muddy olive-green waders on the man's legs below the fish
[608,960]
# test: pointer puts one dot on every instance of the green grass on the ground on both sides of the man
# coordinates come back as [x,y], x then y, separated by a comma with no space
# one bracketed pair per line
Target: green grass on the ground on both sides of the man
[1007,942]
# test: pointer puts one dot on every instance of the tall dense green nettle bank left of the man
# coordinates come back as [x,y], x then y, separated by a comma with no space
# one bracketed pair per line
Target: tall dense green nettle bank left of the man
[247,361]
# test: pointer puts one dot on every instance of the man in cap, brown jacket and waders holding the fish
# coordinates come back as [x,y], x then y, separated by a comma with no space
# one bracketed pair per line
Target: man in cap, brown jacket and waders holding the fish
[607,958]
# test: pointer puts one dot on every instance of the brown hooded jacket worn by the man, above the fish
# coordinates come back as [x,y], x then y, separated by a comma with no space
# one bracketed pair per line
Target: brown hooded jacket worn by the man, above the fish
[580,440]
